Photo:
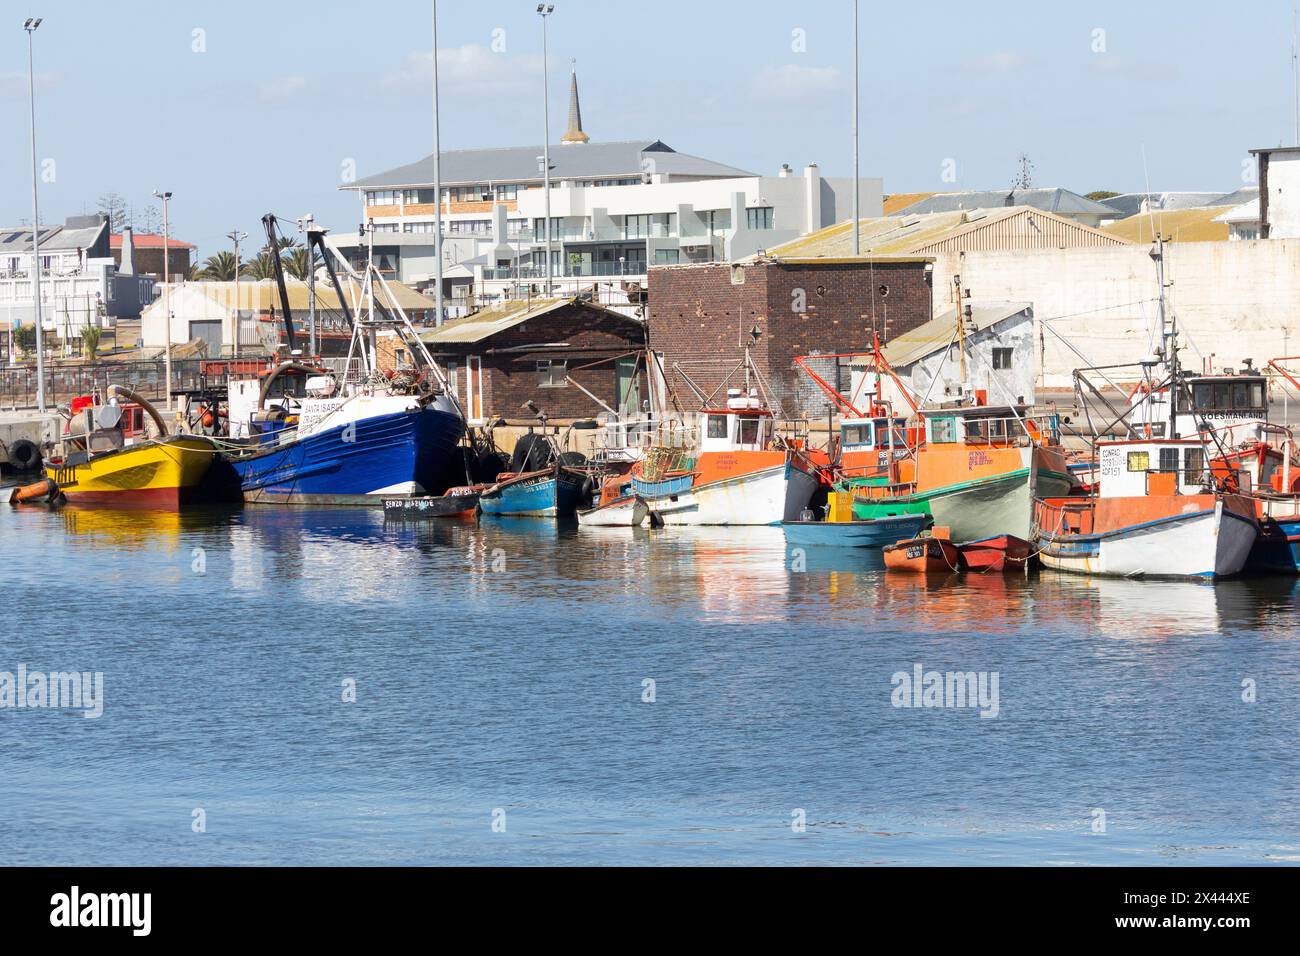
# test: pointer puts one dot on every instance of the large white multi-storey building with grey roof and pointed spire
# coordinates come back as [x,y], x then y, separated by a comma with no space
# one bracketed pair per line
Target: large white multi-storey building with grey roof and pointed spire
[617,209]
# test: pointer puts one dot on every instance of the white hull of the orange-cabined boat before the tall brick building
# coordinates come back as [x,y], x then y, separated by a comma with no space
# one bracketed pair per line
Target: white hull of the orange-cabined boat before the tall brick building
[766,496]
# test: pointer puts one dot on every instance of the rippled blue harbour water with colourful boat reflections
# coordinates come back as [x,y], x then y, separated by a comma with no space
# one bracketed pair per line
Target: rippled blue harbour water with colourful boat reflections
[501,668]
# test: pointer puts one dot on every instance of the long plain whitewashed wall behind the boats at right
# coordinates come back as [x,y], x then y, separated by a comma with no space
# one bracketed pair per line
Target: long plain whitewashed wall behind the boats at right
[1237,300]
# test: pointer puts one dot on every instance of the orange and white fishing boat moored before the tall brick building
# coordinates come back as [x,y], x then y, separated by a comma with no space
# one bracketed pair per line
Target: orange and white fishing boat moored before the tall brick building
[735,474]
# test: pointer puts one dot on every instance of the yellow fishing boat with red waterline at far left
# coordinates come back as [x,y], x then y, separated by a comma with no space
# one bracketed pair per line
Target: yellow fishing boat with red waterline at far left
[107,460]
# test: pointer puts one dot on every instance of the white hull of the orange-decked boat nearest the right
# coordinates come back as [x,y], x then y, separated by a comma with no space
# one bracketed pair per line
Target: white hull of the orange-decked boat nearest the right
[1204,543]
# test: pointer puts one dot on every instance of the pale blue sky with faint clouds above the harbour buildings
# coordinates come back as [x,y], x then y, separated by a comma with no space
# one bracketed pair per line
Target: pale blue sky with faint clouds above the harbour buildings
[284,96]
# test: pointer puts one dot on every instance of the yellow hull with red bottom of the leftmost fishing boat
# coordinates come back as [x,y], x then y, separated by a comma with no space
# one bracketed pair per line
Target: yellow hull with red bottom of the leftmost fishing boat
[161,474]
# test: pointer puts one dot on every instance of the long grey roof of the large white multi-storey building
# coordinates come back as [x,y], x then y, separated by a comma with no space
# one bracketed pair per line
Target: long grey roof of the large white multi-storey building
[571,161]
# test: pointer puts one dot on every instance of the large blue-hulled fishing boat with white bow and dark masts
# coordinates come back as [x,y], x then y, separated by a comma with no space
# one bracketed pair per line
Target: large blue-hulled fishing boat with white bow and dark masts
[345,440]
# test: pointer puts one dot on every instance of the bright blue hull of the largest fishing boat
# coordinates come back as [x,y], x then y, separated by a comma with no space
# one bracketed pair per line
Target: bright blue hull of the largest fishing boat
[361,462]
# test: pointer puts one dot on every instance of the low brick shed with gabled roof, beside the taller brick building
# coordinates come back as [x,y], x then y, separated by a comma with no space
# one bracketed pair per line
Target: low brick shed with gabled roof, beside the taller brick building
[500,358]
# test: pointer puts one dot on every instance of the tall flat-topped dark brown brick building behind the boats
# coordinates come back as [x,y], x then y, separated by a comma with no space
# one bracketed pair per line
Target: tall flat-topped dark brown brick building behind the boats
[701,317]
